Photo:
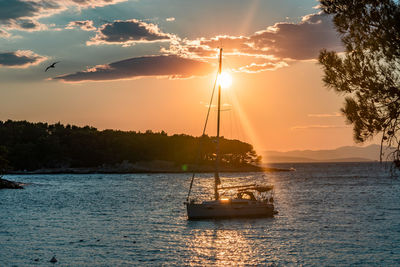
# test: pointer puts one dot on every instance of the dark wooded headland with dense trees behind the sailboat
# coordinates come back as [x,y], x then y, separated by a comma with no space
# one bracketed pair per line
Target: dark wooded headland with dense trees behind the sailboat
[31,146]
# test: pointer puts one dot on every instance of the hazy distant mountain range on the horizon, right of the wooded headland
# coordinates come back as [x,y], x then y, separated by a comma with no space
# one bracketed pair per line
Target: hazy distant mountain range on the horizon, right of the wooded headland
[341,154]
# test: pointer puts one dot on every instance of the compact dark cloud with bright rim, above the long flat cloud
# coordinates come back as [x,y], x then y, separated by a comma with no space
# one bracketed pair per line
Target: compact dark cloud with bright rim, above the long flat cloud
[129,32]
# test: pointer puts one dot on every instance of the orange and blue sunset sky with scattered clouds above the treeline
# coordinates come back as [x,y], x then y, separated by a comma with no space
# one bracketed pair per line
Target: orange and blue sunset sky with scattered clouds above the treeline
[142,65]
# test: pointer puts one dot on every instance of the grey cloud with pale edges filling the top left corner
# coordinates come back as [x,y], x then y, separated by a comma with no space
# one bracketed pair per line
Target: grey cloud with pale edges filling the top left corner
[24,14]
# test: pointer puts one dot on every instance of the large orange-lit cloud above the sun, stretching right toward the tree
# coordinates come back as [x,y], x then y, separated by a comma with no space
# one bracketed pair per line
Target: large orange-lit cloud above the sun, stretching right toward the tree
[297,41]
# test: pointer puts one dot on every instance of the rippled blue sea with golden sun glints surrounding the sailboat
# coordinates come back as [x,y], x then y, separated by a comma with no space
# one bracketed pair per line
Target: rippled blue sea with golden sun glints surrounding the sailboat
[330,214]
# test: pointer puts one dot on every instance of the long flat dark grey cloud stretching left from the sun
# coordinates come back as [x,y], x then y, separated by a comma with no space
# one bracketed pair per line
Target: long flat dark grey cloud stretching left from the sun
[163,66]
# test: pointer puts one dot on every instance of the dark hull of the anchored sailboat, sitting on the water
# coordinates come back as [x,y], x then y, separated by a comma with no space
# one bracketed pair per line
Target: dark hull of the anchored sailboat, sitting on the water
[199,211]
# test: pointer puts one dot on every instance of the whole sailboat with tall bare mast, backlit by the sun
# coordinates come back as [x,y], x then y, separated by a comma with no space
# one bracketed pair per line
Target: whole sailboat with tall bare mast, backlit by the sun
[250,200]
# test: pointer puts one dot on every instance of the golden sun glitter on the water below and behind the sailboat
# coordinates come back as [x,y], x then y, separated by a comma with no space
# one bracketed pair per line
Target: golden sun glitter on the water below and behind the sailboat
[221,243]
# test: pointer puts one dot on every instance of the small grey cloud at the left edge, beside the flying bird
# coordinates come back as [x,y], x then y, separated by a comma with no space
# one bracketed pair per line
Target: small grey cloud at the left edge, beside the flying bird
[20,59]
